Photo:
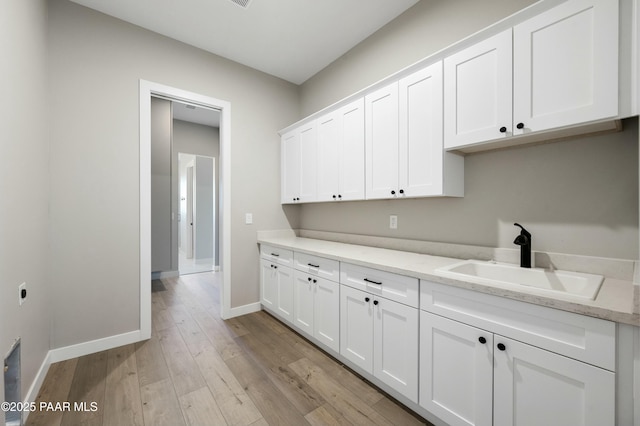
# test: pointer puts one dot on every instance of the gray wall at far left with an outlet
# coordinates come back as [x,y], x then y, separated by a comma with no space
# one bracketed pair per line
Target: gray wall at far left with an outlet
[24,185]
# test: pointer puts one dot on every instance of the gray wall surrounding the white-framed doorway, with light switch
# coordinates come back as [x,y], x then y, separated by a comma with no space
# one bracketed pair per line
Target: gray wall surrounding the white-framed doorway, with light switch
[96,62]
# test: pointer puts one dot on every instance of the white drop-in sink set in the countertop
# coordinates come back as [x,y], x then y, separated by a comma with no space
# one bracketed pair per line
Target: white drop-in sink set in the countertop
[540,281]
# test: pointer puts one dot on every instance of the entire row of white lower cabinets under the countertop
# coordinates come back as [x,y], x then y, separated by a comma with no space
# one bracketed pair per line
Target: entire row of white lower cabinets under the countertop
[465,357]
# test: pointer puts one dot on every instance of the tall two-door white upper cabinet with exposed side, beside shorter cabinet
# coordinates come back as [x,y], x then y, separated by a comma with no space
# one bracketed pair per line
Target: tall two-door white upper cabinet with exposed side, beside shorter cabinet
[404,147]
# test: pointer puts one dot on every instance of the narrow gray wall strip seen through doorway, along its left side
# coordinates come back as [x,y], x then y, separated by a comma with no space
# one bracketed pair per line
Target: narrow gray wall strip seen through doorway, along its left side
[161,202]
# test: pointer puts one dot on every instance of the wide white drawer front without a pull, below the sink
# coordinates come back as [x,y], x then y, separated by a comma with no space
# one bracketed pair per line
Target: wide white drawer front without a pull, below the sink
[580,337]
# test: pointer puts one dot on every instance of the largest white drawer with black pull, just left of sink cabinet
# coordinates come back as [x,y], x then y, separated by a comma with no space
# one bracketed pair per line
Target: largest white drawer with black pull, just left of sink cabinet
[385,284]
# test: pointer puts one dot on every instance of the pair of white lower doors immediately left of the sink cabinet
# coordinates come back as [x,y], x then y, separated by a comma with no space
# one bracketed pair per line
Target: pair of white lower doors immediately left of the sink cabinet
[381,337]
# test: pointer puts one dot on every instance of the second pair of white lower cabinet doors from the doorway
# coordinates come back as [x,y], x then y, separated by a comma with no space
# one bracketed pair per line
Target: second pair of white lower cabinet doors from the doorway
[317,308]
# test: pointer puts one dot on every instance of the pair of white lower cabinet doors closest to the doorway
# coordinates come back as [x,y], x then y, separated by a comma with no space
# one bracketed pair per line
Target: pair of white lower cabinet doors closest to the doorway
[277,289]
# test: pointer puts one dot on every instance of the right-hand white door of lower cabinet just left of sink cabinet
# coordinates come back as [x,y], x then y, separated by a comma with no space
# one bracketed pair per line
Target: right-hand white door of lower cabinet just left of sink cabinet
[395,343]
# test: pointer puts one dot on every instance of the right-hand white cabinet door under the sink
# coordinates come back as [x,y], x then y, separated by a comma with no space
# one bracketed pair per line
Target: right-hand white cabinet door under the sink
[536,387]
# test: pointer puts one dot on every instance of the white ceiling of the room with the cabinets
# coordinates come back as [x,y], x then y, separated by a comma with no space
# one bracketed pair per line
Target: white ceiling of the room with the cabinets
[290,39]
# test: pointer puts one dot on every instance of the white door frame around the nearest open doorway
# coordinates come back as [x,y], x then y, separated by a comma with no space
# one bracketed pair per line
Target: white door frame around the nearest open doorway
[147,89]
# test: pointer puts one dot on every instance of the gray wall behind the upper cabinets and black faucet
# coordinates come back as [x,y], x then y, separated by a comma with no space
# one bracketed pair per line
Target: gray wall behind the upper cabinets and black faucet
[578,196]
